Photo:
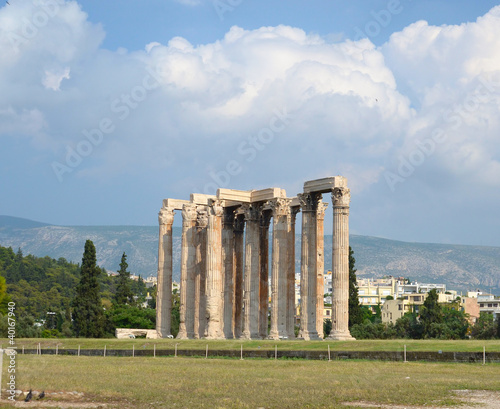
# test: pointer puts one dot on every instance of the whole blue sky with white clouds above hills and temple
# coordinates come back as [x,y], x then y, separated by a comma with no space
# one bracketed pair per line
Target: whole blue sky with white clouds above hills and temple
[108,107]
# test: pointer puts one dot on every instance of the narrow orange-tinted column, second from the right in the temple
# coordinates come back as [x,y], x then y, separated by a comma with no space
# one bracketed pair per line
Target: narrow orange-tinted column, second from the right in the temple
[320,280]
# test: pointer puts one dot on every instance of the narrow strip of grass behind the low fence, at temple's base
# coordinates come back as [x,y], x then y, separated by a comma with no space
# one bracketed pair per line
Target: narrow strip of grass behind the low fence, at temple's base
[361,345]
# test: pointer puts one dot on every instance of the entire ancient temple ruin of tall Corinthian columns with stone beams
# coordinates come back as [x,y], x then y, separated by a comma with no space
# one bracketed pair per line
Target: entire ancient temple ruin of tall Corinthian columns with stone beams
[224,288]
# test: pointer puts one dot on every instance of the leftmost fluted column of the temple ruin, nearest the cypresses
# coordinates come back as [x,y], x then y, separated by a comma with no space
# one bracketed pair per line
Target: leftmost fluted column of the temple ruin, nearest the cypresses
[164,289]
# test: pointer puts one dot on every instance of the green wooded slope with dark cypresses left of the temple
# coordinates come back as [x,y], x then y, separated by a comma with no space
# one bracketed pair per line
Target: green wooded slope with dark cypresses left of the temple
[57,298]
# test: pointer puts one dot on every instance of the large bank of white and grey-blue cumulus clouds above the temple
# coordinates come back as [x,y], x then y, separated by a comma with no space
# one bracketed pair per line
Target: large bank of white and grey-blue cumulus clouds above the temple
[275,103]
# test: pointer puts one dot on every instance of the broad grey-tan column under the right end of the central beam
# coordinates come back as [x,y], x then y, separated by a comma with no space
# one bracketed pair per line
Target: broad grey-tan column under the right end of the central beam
[280,266]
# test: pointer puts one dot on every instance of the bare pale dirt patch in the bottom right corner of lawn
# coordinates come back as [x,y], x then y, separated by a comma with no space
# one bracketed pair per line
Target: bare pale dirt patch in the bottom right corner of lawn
[470,400]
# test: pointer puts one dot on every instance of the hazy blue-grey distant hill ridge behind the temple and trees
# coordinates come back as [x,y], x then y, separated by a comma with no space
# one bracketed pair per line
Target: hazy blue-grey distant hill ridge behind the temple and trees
[460,267]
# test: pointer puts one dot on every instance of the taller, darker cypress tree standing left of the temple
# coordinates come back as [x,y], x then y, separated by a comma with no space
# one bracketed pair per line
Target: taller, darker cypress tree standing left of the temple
[88,313]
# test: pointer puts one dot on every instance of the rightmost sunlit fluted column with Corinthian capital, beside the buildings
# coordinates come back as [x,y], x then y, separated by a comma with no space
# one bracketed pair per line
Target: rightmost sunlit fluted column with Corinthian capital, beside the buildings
[341,198]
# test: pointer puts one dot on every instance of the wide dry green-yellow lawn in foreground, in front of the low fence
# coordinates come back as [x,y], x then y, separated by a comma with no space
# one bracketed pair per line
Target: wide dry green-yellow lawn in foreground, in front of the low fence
[149,382]
